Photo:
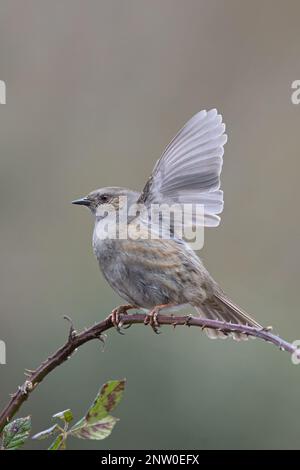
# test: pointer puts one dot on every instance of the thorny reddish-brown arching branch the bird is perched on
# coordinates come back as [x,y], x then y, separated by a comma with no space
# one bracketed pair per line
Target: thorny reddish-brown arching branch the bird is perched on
[96,332]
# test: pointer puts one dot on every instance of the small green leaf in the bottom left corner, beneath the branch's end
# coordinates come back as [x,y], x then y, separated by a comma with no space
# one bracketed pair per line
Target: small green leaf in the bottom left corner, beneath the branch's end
[16,433]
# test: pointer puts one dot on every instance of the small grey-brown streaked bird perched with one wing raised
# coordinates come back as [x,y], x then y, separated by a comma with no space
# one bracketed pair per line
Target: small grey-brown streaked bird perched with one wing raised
[162,273]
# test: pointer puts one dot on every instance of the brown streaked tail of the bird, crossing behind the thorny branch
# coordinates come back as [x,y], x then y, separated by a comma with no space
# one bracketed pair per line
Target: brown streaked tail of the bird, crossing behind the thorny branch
[221,308]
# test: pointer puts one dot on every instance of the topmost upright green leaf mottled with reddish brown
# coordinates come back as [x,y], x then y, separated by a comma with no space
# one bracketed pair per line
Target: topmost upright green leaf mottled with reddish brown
[107,399]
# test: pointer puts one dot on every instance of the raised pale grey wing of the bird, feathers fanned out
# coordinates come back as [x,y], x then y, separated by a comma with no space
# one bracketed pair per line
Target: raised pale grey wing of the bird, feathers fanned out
[190,167]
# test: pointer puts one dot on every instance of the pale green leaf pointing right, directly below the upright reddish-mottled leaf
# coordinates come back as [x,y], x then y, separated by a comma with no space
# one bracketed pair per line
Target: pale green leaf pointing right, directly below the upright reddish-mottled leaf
[96,430]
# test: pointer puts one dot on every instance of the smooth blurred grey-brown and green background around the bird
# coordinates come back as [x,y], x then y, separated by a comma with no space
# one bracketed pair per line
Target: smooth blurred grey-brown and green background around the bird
[95,91]
